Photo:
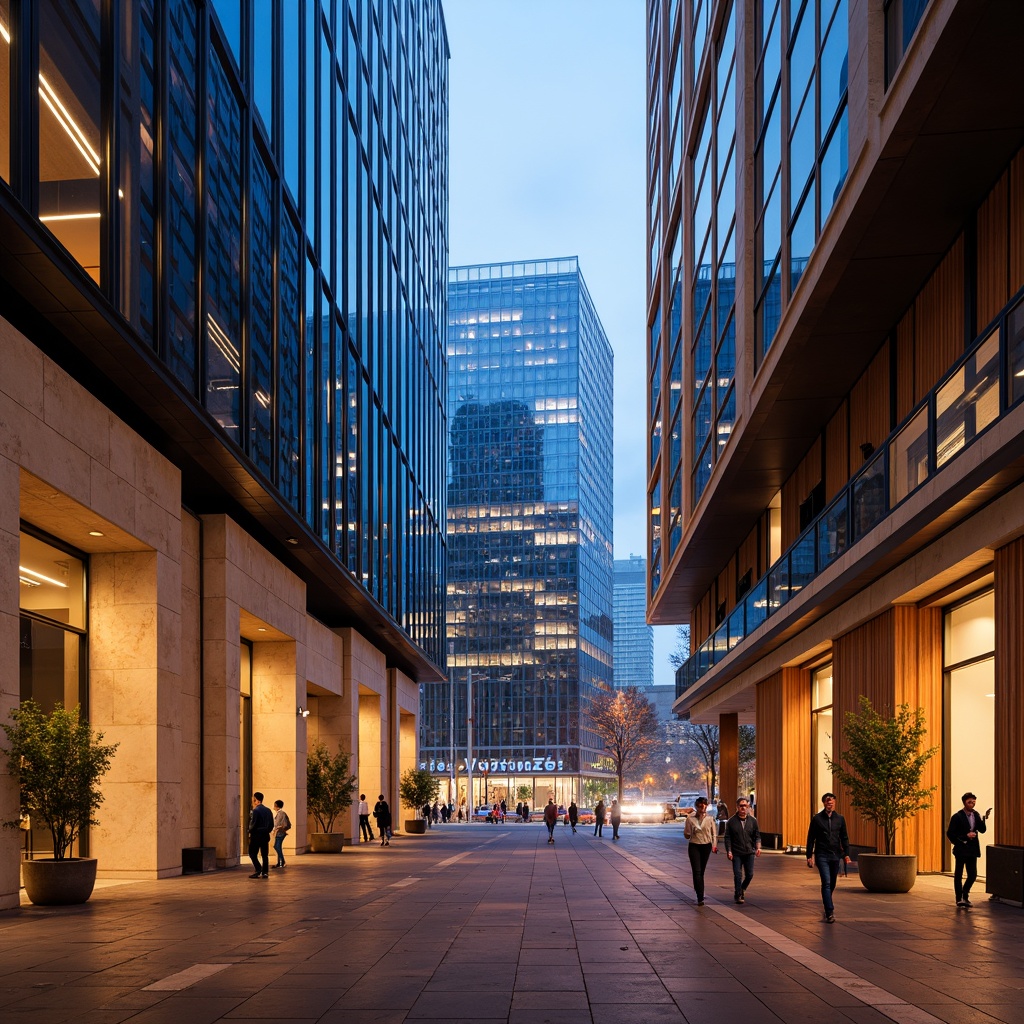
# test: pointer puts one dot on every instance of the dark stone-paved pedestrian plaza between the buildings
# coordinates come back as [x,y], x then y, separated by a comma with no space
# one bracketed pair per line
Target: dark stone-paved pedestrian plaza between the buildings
[490,923]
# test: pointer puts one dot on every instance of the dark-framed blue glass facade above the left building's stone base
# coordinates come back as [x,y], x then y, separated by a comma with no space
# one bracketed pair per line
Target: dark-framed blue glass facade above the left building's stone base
[260,191]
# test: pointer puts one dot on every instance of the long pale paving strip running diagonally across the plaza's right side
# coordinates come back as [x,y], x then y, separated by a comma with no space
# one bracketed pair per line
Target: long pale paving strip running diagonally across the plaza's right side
[871,995]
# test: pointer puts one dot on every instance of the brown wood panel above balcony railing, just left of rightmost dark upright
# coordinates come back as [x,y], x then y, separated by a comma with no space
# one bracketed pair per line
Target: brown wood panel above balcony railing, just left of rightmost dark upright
[940,322]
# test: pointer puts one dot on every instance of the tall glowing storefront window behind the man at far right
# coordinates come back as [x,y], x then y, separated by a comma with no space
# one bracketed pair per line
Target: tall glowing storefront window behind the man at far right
[969,657]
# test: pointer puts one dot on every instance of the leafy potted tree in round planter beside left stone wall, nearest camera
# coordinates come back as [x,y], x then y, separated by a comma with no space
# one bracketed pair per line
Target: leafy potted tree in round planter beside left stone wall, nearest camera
[59,762]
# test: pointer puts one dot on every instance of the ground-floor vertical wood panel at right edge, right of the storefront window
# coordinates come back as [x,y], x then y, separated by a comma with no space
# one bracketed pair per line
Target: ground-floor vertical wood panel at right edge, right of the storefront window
[1009,823]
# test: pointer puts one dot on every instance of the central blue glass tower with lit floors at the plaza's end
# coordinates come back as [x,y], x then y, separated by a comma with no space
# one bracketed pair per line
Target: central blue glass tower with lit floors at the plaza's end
[530,530]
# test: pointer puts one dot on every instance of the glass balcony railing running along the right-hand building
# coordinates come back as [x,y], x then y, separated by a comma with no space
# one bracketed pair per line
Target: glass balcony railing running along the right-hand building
[977,393]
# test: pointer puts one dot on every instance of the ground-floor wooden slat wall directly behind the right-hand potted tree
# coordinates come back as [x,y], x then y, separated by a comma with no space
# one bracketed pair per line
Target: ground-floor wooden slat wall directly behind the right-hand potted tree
[892,660]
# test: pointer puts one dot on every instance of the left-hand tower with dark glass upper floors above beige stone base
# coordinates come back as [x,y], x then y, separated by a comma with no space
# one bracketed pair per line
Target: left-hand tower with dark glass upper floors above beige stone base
[224,271]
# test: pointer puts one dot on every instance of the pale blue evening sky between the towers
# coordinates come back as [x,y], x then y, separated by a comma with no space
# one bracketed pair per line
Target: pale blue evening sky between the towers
[547,122]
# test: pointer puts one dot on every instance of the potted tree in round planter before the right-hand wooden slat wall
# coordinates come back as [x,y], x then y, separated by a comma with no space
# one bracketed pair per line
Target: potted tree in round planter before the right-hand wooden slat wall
[882,767]
